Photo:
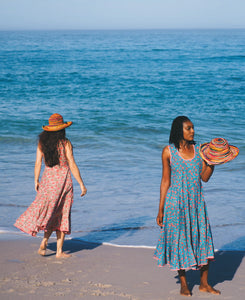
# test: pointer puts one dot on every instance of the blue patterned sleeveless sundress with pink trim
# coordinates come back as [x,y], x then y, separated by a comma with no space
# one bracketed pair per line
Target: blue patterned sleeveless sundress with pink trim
[185,240]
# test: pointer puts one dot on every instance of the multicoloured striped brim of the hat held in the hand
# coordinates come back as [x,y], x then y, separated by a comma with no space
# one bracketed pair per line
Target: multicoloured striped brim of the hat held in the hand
[234,151]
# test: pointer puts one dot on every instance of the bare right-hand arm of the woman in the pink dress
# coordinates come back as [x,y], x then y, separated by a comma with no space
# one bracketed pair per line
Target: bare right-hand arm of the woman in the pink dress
[74,168]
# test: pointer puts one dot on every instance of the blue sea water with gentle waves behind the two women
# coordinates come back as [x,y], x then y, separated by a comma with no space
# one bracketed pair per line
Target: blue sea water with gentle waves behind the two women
[122,89]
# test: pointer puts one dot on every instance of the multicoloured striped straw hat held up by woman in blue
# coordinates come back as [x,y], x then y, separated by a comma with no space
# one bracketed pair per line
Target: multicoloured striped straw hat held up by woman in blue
[218,151]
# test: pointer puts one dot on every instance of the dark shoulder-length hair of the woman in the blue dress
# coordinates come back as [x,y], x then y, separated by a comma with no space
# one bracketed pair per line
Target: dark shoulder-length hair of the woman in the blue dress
[176,133]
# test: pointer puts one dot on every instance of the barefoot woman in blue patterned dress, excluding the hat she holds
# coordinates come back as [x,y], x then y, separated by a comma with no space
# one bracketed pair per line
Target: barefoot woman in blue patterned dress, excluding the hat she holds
[185,240]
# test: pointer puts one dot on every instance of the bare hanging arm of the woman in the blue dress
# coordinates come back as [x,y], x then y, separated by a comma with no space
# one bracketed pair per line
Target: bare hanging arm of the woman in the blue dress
[165,183]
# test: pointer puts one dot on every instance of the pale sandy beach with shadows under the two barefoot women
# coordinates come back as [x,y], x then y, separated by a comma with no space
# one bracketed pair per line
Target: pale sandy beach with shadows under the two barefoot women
[106,272]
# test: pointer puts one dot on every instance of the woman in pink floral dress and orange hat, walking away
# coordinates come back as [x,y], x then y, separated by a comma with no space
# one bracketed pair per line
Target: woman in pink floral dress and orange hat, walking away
[51,209]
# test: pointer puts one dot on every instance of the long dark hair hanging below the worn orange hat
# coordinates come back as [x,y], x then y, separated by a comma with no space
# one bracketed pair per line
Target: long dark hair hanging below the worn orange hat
[49,142]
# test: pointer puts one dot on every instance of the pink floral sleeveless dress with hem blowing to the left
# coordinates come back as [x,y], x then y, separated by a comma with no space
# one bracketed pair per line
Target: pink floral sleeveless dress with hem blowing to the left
[51,209]
